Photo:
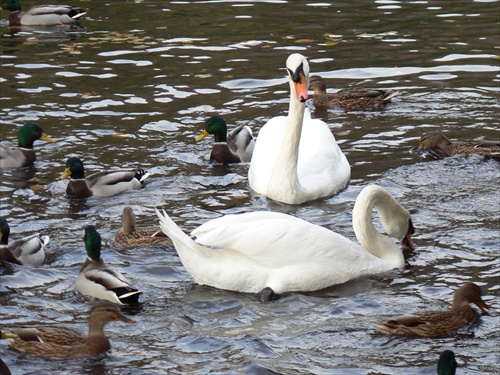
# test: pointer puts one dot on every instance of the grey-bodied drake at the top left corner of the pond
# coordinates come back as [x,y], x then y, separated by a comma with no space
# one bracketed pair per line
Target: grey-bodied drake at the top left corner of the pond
[43,15]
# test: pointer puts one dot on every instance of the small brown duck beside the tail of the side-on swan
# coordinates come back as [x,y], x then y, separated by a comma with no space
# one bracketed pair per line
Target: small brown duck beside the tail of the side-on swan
[129,236]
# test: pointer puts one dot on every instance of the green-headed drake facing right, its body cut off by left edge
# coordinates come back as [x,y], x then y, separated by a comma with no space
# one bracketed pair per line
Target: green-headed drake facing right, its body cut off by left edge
[23,155]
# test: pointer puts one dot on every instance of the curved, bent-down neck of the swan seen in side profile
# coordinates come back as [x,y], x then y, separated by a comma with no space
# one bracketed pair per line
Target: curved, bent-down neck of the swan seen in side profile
[389,210]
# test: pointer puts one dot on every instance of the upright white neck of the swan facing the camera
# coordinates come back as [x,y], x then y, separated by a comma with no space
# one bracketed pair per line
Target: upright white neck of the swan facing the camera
[285,176]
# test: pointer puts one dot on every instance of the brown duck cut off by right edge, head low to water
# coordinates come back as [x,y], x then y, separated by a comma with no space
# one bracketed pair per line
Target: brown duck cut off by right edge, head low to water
[441,146]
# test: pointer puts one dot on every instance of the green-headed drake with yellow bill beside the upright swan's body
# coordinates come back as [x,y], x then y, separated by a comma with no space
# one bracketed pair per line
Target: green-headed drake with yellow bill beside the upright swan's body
[235,147]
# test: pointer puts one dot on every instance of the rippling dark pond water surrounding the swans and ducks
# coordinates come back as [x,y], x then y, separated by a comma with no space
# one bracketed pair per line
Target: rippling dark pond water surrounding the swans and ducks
[132,89]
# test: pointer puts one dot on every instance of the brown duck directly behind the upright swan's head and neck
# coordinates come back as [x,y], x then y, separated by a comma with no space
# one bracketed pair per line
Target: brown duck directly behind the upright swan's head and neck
[349,99]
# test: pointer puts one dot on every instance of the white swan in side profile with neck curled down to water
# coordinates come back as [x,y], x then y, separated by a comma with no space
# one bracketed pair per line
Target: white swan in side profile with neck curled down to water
[269,251]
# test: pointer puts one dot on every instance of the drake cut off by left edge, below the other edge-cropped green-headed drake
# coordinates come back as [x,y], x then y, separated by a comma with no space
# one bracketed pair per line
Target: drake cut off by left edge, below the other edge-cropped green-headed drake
[26,251]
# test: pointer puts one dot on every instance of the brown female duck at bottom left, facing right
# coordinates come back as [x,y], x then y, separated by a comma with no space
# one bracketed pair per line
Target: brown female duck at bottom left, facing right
[55,342]
